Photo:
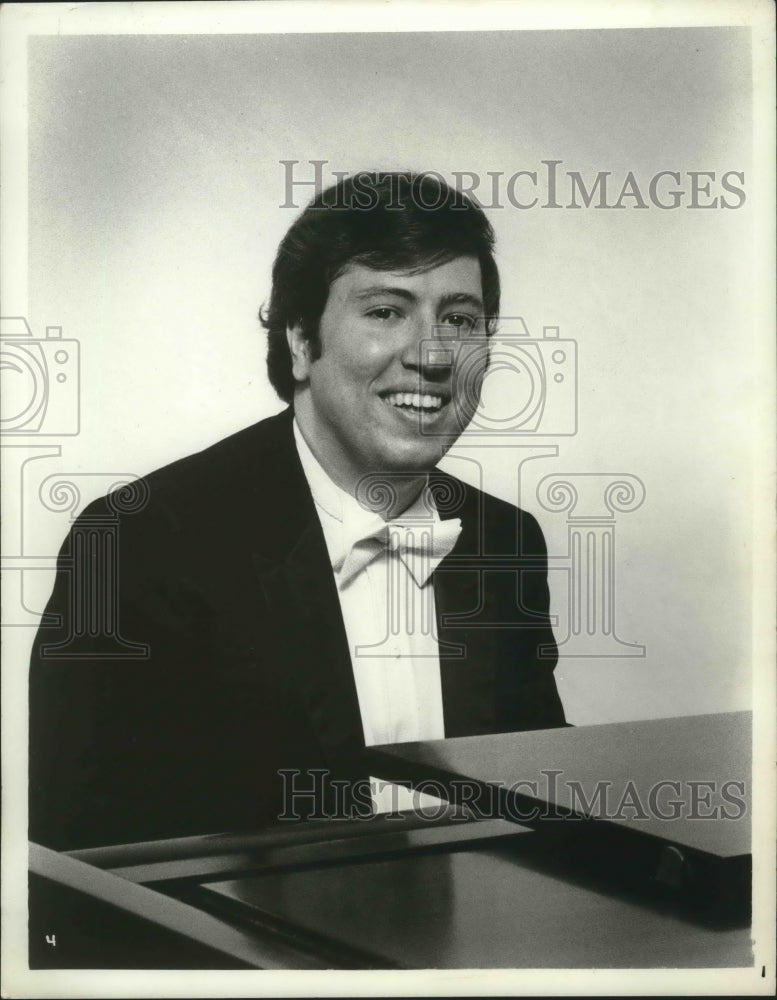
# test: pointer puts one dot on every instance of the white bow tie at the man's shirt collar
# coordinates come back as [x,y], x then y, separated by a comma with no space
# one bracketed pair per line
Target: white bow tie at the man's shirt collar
[421,544]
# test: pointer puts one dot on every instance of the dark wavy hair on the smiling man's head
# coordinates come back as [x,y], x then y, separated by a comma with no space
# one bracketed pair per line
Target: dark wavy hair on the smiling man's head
[386,221]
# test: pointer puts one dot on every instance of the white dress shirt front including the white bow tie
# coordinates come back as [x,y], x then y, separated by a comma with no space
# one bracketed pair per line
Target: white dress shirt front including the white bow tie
[387,600]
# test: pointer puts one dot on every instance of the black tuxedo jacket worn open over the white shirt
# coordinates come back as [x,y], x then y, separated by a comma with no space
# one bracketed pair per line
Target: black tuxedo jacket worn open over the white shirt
[225,577]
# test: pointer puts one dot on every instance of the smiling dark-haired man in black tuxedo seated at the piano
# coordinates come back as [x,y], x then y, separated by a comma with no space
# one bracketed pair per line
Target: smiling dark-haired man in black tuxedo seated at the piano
[310,585]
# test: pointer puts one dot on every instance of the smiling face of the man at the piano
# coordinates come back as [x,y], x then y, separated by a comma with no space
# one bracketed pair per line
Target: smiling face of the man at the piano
[374,400]
